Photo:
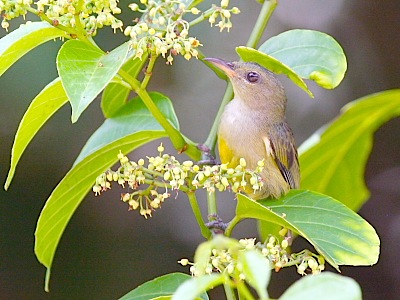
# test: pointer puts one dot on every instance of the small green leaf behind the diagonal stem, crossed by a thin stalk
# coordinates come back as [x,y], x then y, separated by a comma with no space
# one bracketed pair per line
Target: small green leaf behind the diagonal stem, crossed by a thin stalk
[116,95]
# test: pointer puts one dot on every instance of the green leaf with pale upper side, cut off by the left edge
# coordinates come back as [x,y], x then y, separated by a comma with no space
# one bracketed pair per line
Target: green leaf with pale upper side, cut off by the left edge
[20,41]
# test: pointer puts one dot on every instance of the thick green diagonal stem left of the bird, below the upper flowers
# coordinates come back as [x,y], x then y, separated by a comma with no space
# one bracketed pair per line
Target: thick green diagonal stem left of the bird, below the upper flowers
[177,139]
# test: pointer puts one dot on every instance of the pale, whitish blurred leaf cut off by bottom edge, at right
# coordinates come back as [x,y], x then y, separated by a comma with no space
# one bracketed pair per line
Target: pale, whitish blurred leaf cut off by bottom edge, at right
[327,286]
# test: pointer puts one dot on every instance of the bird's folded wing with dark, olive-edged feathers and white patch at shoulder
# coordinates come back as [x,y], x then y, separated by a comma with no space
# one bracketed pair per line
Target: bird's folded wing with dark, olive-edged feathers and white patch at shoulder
[283,150]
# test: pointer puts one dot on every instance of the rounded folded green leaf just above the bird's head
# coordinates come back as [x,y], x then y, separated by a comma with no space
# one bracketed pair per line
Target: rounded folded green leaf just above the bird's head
[301,54]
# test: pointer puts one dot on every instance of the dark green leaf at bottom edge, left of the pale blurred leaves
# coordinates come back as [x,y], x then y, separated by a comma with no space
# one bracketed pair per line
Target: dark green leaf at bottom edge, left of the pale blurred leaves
[163,286]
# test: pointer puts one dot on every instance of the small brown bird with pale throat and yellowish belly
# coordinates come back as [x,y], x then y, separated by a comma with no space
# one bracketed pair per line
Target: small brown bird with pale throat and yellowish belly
[253,126]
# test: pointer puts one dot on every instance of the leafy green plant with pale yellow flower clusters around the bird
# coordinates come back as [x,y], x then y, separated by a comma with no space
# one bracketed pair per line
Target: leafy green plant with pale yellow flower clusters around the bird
[332,161]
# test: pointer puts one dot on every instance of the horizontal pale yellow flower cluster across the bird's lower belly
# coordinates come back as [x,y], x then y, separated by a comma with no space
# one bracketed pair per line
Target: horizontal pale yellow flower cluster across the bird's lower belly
[150,183]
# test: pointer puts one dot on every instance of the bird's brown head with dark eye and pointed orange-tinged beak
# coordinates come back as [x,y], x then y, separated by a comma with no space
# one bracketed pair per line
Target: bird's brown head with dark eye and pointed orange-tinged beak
[257,87]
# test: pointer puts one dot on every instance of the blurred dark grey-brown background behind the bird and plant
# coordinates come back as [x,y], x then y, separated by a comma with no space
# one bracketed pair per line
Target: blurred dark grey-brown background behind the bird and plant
[106,250]
